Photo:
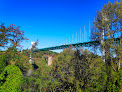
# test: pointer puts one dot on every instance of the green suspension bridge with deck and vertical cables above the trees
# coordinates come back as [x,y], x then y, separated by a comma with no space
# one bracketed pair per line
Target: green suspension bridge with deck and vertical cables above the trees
[81,38]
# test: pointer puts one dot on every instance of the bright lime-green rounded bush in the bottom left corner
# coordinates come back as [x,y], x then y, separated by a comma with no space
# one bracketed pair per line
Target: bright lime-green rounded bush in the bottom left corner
[11,79]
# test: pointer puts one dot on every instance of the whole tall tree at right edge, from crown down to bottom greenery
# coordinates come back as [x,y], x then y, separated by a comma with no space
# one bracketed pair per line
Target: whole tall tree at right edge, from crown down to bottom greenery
[107,27]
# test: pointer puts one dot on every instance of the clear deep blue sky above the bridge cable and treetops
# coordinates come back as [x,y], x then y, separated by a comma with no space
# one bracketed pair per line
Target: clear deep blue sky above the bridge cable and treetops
[49,21]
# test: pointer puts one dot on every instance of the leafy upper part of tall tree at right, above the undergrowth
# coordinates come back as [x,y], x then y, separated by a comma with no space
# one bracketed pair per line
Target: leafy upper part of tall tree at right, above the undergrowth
[108,26]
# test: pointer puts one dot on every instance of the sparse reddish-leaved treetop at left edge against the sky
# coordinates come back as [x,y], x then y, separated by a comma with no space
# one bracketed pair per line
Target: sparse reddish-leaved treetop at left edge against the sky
[12,35]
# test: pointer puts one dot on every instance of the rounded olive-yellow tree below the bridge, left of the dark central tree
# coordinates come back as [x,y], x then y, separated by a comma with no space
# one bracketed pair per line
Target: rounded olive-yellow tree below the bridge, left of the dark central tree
[63,71]
